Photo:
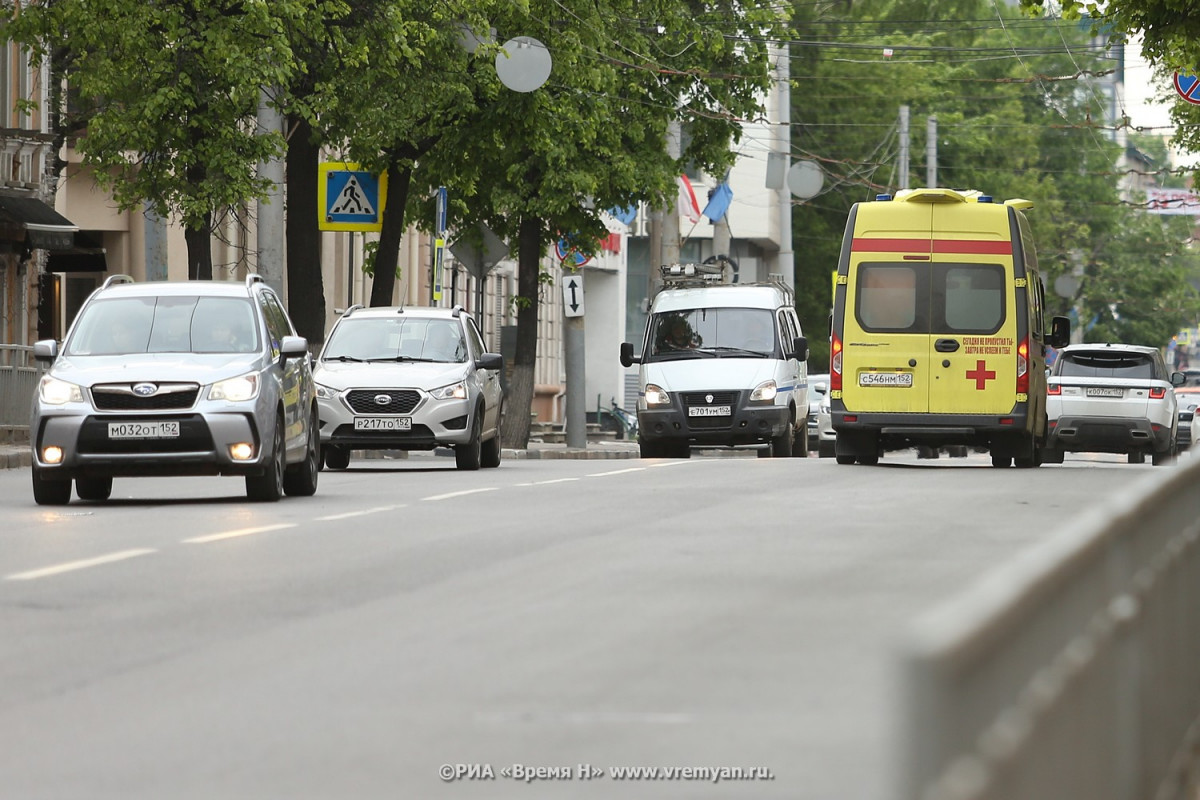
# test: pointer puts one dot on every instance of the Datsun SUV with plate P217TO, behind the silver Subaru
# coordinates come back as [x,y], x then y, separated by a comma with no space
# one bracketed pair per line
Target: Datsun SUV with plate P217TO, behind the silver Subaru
[395,378]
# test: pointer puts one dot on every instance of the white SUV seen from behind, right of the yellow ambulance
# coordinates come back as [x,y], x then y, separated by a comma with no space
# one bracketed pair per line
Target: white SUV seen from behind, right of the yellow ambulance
[1113,399]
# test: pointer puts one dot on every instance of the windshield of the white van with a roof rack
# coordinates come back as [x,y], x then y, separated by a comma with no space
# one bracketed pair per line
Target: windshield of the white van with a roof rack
[694,333]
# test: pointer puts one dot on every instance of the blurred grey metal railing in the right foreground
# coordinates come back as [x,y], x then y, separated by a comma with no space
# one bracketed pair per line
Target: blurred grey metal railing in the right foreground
[1072,672]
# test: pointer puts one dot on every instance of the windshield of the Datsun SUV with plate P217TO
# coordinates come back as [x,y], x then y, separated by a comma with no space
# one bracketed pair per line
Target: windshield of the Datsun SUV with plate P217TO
[399,339]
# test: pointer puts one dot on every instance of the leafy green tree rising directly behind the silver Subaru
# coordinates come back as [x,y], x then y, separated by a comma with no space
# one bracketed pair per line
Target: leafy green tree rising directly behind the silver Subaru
[167,123]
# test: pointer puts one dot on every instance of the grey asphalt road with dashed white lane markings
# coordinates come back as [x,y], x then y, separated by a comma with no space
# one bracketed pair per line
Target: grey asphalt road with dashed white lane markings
[181,642]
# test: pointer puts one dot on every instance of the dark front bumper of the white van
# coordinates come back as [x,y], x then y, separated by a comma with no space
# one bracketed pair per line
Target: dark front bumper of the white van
[747,425]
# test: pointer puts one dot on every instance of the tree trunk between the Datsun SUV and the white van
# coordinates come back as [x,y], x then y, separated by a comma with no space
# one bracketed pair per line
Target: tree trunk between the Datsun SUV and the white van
[515,426]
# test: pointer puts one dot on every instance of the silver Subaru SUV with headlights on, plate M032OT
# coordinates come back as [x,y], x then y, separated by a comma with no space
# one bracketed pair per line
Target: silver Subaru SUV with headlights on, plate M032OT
[184,378]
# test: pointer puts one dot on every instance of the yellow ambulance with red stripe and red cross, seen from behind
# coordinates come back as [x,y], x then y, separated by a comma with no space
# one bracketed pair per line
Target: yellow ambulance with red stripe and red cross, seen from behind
[938,334]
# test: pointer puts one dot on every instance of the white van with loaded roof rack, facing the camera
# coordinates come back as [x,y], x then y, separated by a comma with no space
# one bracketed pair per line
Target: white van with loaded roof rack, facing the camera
[722,365]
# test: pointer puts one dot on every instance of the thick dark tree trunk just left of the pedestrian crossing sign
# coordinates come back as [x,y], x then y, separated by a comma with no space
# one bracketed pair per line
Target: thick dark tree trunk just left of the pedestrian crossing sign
[307,292]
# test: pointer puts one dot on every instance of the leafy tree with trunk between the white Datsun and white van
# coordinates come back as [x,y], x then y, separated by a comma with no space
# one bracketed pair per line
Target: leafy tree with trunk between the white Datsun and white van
[533,165]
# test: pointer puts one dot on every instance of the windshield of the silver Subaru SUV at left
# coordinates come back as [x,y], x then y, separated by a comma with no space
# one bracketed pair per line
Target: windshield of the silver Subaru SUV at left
[185,324]
